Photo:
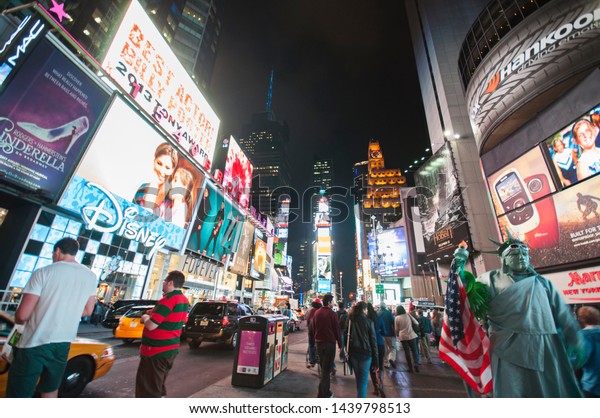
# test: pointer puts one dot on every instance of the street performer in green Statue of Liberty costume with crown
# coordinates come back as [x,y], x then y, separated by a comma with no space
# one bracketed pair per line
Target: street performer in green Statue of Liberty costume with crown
[533,333]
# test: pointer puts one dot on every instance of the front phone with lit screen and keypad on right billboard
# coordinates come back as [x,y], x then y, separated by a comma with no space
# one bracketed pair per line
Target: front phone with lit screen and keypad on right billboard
[516,201]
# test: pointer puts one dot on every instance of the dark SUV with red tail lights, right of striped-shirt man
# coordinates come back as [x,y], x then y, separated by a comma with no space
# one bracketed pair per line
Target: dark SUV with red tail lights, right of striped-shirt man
[215,321]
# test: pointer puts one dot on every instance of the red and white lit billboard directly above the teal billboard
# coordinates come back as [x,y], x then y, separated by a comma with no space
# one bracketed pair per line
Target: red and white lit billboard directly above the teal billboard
[233,170]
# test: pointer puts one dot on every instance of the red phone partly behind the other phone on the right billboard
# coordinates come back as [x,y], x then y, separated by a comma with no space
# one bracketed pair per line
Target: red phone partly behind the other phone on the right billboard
[545,235]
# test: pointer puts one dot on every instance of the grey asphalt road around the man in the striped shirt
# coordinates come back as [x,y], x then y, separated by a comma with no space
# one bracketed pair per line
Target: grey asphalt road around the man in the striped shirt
[194,369]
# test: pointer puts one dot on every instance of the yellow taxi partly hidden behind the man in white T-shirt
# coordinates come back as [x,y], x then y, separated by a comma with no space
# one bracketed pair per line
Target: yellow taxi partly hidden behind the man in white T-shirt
[88,360]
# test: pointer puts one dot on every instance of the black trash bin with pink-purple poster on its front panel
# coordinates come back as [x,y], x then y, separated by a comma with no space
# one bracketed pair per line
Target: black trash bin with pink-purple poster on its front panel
[261,353]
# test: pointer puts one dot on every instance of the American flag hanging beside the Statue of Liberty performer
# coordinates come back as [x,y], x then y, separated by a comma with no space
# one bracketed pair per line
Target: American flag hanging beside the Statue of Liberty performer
[464,344]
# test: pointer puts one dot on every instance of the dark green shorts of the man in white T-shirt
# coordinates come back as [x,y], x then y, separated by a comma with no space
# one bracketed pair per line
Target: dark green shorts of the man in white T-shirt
[45,363]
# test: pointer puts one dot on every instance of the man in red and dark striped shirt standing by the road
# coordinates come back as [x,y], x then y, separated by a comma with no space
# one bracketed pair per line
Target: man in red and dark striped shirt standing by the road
[161,338]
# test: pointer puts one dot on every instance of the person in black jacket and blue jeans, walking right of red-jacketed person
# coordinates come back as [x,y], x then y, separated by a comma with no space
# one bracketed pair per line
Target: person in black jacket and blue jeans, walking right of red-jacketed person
[362,347]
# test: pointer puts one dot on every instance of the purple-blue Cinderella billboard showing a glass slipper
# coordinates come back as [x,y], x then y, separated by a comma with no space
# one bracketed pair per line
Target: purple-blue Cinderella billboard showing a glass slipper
[47,116]
